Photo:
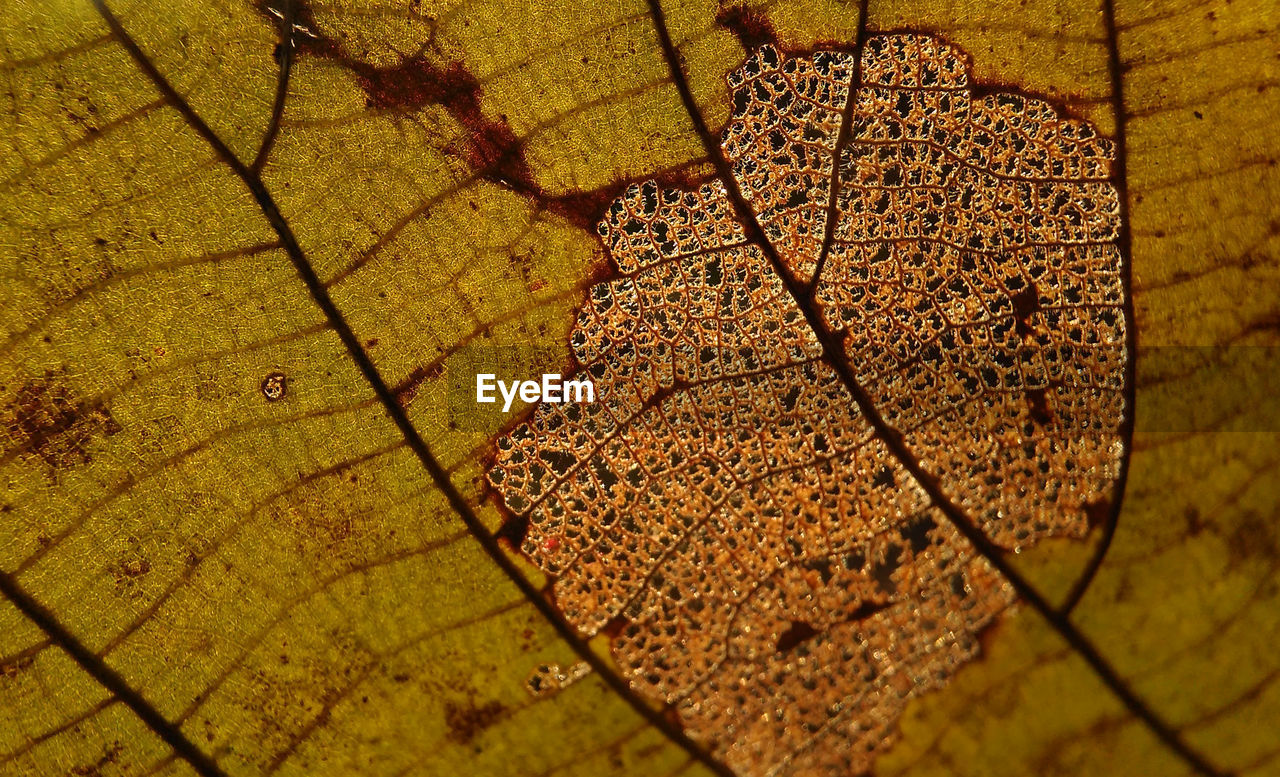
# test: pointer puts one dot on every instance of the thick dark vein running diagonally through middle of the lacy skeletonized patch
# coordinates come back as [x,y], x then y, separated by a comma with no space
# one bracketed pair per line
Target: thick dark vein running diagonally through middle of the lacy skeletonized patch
[894,440]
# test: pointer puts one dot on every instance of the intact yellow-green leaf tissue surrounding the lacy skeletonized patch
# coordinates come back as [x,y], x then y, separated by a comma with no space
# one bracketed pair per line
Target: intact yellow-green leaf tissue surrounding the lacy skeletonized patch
[282,581]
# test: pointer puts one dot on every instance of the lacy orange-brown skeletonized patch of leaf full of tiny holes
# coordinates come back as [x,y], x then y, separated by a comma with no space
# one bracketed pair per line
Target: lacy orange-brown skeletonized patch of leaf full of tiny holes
[764,563]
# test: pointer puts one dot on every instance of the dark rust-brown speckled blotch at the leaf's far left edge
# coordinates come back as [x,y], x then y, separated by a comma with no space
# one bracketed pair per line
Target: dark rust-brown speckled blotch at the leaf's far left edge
[51,422]
